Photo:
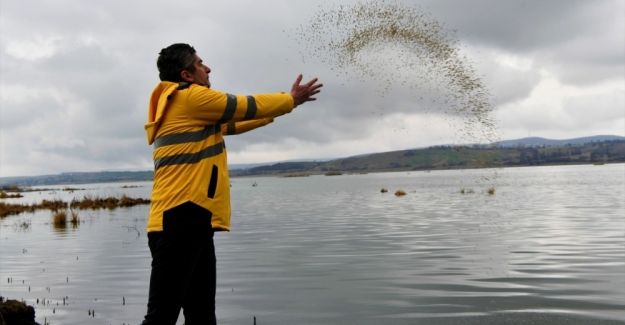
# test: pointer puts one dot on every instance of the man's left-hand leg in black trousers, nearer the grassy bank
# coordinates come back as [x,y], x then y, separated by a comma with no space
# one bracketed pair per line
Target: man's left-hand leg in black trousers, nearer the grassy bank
[174,255]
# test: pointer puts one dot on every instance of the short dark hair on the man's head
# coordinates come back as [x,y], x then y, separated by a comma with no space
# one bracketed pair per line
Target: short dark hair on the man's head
[174,59]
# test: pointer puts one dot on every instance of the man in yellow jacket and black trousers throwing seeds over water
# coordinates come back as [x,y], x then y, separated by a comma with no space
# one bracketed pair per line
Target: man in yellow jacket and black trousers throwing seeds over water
[191,194]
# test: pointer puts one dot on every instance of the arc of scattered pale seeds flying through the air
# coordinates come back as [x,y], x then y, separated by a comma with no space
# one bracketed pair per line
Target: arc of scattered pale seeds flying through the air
[397,45]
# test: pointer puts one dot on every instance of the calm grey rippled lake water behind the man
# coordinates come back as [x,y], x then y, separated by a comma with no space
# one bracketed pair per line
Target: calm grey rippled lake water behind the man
[547,248]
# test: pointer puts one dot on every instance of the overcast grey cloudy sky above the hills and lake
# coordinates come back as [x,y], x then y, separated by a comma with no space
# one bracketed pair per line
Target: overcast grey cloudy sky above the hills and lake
[75,77]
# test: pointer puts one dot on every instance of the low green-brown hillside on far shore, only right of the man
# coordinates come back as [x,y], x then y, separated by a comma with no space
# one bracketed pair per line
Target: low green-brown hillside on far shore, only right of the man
[456,157]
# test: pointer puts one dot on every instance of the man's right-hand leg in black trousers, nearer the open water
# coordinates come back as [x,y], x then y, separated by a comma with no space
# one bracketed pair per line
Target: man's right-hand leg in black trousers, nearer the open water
[199,304]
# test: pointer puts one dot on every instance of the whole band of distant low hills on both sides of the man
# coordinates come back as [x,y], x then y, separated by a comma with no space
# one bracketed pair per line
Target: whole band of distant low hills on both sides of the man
[521,152]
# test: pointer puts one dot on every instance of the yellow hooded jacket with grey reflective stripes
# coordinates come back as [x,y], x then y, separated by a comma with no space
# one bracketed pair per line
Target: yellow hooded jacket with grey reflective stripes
[186,124]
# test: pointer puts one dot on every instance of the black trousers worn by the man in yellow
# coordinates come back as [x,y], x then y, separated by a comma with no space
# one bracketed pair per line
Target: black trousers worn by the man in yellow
[184,276]
